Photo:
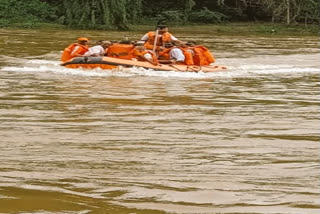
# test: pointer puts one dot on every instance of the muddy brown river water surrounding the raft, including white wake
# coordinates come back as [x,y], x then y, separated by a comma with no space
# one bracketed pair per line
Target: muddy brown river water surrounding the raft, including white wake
[136,141]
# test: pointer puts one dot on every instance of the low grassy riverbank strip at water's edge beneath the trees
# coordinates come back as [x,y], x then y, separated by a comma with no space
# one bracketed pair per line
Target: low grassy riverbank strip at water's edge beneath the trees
[222,28]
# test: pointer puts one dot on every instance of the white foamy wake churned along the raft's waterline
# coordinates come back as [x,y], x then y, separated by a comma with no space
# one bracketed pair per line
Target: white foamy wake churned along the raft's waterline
[237,67]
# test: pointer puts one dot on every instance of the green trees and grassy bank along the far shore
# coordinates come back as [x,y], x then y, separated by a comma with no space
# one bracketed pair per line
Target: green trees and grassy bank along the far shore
[256,16]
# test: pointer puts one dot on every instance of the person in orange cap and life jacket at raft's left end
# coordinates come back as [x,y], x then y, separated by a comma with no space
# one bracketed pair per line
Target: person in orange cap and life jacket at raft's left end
[75,49]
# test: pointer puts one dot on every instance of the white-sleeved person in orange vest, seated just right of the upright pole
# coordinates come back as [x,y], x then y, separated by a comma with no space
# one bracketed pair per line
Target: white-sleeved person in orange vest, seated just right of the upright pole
[173,53]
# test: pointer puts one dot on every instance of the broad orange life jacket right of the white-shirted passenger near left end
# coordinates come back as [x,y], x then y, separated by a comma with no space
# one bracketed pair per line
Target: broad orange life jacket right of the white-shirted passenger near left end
[121,51]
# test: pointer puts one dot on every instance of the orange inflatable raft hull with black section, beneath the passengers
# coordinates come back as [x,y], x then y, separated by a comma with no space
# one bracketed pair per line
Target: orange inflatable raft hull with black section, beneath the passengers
[112,63]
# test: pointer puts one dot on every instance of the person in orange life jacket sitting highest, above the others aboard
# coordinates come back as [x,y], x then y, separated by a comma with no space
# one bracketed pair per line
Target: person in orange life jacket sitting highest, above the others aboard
[162,37]
